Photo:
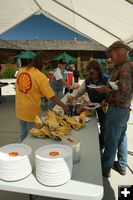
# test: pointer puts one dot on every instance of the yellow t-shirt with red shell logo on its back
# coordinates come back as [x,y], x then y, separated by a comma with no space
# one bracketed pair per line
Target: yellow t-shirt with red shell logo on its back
[31,85]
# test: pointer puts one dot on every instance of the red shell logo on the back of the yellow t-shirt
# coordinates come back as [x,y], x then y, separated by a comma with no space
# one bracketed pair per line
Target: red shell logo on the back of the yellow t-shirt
[24,82]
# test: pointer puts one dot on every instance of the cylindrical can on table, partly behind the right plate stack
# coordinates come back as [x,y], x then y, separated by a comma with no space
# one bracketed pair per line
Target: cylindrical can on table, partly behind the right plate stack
[74,143]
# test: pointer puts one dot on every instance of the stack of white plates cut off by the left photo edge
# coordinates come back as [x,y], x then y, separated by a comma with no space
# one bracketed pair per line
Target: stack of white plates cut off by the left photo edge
[14,162]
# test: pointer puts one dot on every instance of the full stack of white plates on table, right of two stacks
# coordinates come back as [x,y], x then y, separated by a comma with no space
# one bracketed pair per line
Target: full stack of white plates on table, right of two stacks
[53,164]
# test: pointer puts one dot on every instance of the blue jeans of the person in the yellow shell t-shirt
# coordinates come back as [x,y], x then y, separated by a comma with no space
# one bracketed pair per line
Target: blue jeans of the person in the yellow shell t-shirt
[25,127]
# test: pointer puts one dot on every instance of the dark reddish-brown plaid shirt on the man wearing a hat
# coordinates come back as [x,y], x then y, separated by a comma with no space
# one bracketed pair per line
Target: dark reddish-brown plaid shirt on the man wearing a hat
[122,97]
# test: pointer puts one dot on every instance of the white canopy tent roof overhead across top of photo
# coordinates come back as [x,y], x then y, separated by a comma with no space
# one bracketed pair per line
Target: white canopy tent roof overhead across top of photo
[104,21]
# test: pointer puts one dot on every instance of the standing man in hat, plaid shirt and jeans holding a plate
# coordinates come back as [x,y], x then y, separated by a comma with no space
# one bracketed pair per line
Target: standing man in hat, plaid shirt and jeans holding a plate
[119,100]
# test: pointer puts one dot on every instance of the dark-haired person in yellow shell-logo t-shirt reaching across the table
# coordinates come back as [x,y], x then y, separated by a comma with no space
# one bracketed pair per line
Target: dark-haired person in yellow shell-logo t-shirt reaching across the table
[31,85]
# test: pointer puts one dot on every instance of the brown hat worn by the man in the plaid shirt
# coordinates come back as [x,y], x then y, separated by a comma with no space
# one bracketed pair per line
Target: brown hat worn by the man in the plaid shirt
[117,45]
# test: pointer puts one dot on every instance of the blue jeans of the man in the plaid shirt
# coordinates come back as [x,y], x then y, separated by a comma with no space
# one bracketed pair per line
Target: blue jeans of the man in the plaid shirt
[115,137]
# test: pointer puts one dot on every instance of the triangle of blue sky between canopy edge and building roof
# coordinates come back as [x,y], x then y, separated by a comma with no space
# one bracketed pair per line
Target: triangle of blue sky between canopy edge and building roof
[41,28]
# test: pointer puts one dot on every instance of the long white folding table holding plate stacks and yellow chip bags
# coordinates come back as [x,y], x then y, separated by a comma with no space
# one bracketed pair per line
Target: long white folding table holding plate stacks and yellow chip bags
[86,182]
